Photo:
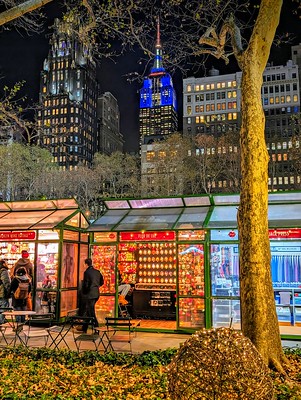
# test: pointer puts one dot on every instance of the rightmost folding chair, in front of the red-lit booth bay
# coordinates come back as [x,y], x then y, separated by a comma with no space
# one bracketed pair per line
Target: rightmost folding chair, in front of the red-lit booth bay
[120,330]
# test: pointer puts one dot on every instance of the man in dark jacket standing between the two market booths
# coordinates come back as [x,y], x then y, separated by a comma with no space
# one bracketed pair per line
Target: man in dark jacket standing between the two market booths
[92,281]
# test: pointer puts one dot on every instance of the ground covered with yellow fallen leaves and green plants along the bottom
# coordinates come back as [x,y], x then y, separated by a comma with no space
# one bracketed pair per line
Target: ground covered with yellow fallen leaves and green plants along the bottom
[45,374]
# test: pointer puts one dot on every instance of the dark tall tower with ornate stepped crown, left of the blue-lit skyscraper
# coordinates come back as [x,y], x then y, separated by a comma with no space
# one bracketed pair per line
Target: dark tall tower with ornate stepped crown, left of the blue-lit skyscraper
[68,96]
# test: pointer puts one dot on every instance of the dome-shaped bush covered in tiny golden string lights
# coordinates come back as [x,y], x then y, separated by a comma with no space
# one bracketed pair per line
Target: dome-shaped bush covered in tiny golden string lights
[219,364]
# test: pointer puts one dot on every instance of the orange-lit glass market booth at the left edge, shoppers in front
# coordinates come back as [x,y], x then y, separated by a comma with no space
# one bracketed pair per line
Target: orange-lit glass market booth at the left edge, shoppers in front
[54,234]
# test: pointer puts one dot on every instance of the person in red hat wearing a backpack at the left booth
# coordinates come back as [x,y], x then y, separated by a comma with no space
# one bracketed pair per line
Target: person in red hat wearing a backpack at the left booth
[20,288]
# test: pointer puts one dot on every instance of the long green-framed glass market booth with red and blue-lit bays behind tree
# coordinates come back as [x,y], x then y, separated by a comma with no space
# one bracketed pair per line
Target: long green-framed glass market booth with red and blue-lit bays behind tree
[181,257]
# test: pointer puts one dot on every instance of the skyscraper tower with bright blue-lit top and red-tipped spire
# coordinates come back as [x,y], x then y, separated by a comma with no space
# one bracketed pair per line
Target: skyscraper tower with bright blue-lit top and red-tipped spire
[158,105]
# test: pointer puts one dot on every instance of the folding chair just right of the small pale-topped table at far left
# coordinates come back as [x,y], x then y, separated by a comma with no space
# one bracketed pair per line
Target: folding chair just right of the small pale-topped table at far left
[37,327]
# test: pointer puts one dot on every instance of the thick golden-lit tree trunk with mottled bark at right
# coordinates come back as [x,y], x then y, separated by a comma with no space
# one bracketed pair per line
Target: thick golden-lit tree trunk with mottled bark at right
[259,318]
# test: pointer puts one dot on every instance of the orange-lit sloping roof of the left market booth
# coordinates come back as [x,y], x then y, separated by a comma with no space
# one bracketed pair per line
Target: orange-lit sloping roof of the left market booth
[40,214]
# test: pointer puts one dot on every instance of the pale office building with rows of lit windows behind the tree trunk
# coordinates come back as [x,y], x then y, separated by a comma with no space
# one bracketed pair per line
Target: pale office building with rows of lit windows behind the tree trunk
[211,105]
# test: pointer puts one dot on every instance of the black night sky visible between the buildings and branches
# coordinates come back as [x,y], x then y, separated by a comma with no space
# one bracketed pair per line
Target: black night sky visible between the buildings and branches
[22,59]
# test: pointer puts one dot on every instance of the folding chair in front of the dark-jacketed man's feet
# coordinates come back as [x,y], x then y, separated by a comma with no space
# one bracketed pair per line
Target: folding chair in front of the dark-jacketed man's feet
[80,322]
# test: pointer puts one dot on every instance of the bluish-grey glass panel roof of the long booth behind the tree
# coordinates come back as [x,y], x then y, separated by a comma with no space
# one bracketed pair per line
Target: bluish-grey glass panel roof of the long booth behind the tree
[191,212]
